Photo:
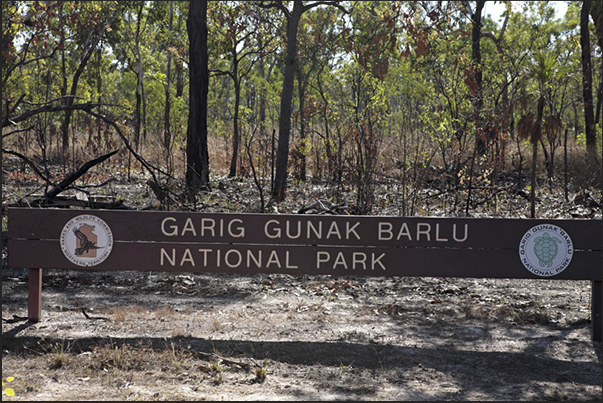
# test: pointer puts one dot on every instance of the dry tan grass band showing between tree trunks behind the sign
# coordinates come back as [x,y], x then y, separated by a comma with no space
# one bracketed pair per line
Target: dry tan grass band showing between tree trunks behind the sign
[517,157]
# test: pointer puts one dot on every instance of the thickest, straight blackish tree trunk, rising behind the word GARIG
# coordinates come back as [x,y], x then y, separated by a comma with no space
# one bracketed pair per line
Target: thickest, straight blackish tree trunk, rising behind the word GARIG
[197,168]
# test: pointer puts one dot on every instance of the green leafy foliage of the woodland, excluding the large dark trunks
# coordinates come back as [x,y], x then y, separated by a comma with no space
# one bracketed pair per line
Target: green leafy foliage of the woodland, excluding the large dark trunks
[384,74]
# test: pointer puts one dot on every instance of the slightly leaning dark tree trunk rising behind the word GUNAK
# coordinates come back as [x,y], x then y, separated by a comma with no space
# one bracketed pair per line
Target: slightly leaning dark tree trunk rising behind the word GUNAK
[282,153]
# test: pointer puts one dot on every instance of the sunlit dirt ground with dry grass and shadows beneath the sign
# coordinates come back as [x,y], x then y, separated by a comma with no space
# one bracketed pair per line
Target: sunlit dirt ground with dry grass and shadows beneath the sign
[161,336]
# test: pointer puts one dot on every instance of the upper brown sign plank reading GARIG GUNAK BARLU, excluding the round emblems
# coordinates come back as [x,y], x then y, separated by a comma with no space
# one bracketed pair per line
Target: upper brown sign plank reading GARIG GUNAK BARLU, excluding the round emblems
[290,229]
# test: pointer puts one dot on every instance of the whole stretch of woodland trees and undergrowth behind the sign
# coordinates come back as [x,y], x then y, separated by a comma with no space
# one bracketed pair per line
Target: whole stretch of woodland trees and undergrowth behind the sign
[416,95]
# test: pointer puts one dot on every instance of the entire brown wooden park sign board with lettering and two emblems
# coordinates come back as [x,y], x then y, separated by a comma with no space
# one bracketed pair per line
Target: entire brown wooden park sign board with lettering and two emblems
[306,244]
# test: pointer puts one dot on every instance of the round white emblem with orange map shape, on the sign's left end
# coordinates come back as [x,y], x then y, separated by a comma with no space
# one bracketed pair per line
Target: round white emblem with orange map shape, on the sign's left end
[86,240]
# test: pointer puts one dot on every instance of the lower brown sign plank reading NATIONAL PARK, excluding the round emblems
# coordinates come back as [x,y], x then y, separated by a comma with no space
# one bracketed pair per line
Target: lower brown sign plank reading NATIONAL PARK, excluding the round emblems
[296,259]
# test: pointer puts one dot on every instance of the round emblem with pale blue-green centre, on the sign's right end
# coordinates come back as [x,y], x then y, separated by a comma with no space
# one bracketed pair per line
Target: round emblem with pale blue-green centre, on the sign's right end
[546,250]
